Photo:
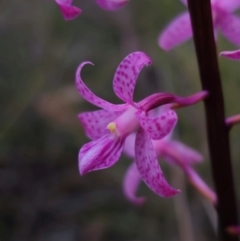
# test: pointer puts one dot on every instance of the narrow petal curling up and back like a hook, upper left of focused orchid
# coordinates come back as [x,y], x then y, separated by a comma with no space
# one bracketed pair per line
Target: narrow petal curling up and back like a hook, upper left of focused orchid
[88,95]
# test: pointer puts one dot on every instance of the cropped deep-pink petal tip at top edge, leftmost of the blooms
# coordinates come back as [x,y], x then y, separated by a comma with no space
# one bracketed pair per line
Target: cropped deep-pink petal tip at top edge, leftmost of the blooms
[68,11]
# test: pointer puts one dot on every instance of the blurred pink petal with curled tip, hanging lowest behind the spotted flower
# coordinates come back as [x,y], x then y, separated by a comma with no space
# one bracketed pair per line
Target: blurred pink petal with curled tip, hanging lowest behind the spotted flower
[131,182]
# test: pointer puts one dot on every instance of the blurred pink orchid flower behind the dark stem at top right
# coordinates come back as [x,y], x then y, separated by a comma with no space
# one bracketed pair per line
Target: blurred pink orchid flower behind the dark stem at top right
[179,30]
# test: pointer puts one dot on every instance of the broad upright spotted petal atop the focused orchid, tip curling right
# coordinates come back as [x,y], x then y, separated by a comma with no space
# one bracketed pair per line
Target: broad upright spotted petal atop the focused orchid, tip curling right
[126,75]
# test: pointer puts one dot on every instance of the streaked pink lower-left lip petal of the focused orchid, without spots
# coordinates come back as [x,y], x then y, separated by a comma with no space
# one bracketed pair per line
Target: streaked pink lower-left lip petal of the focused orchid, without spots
[100,154]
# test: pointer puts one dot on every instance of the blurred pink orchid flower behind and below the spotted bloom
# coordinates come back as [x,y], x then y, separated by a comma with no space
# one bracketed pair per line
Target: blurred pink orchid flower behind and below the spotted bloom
[174,152]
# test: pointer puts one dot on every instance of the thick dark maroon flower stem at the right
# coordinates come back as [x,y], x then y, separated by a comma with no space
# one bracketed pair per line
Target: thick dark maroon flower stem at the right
[217,130]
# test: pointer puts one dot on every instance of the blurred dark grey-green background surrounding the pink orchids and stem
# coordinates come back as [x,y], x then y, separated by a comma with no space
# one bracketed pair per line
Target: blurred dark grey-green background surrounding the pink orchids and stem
[42,195]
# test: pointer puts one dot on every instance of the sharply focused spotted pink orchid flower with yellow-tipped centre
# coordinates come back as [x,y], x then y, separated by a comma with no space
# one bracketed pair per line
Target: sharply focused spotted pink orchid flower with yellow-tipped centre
[109,127]
